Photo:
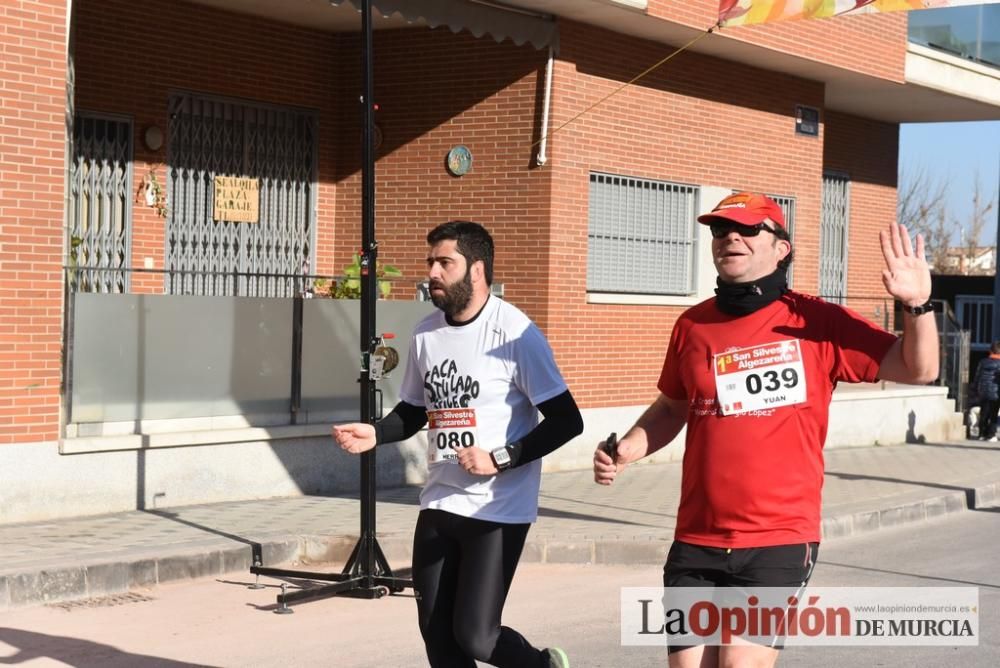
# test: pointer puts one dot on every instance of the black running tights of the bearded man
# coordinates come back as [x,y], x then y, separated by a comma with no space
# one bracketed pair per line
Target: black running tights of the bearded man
[462,570]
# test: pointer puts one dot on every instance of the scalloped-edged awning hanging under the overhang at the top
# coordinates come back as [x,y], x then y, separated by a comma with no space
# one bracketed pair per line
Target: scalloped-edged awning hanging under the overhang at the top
[479,18]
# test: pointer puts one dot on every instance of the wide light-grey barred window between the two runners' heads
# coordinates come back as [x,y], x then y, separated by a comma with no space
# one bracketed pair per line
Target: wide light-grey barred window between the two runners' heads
[641,236]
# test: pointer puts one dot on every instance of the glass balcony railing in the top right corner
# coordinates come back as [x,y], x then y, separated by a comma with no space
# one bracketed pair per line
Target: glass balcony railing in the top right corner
[971,32]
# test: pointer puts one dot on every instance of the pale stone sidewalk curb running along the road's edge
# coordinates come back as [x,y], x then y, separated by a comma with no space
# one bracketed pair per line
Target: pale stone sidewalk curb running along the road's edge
[61,584]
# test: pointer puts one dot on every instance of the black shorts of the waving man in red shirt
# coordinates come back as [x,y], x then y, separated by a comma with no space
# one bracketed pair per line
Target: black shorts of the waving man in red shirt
[783,566]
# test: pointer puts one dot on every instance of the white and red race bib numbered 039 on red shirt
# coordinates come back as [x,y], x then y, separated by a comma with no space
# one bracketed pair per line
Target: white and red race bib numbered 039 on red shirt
[770,375]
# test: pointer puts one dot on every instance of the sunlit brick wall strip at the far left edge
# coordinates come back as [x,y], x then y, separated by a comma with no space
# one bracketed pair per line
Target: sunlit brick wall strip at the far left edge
[32,176]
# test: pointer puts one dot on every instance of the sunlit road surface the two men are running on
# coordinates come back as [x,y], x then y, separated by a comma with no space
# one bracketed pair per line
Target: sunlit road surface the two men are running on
[222,623]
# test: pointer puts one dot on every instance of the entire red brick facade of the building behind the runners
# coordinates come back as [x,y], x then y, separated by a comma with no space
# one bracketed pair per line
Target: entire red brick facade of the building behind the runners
[697,120]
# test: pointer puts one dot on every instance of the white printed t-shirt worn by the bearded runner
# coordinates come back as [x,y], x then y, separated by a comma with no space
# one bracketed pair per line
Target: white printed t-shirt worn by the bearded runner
[480,383]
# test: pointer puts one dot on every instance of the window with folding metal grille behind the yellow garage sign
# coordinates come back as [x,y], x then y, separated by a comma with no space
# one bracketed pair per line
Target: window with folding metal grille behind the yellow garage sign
[275,146]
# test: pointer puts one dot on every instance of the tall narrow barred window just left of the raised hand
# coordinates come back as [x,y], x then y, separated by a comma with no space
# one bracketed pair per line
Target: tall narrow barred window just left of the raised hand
[833,225]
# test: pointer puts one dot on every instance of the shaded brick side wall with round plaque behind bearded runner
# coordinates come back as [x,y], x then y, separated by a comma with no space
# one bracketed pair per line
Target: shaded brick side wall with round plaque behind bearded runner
[458,90]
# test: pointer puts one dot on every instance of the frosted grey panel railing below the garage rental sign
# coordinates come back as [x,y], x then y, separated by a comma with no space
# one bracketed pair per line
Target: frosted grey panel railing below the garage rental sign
[146,361]
